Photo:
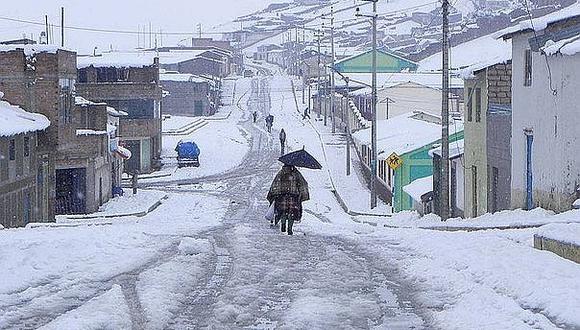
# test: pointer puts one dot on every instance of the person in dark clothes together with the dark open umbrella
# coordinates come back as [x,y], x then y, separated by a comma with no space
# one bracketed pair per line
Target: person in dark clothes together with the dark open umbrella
[289,188]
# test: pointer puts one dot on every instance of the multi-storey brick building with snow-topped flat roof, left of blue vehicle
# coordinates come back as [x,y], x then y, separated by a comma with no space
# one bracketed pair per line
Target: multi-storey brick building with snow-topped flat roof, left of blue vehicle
[128,83]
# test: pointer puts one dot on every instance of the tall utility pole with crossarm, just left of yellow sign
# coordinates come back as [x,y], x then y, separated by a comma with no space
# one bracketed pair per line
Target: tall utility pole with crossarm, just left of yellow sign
[374,153]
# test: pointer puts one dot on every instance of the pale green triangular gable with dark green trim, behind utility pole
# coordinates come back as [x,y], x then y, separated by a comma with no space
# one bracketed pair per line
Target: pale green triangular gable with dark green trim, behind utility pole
[386,62]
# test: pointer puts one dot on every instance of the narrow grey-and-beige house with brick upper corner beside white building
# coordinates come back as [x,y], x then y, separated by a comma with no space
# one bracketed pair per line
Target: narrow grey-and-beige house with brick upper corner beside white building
[488,137]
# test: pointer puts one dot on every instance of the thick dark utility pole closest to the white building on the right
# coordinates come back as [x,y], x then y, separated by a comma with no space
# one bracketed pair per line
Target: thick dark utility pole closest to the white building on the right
[445,117]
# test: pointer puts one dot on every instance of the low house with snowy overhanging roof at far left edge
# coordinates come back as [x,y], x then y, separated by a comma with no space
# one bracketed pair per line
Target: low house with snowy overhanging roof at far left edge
[22,184]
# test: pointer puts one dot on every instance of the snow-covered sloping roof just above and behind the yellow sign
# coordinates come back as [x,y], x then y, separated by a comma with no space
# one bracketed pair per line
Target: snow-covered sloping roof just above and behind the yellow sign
[407,132]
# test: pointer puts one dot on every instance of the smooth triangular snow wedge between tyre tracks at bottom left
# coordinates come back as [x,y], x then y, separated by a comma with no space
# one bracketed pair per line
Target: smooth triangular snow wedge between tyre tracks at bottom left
[107,311]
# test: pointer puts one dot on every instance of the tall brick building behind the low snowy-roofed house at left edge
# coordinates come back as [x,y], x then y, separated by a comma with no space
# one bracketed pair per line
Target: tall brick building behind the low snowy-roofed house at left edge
[41,79]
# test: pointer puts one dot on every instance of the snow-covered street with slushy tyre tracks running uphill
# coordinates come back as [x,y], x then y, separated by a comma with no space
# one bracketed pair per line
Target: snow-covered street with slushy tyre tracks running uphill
[207,259]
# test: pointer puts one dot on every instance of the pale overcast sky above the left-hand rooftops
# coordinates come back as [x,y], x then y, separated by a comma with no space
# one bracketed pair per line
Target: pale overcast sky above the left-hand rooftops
[168,15]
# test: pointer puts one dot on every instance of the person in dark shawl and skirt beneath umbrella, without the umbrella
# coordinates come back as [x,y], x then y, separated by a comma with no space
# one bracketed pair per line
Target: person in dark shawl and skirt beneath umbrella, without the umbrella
[289,189]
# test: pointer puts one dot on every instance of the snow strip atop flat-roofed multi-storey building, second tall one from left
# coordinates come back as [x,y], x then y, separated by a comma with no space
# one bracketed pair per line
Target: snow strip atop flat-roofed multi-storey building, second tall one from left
[116,59]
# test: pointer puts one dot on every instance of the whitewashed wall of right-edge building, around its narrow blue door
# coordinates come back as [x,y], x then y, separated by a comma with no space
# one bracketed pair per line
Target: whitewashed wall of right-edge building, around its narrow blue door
[554,120]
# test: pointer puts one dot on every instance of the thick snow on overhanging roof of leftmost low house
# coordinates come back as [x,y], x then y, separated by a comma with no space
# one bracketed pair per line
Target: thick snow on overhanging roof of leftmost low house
[14,120]
